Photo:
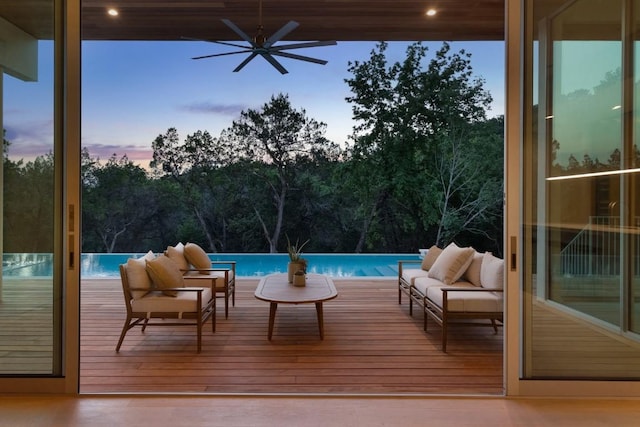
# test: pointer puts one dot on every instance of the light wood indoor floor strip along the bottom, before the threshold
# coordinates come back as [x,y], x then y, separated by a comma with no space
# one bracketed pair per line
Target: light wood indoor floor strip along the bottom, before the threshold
[257,411]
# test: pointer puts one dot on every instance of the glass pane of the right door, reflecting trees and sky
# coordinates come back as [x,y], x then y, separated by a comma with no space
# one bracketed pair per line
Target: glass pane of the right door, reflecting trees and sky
[581,237]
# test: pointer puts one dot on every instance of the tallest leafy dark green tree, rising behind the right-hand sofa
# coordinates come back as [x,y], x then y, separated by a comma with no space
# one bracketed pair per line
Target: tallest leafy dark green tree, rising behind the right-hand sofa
[408,116]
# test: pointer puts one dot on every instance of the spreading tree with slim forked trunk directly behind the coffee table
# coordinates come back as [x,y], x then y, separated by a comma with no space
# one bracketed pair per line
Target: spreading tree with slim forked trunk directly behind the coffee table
[278,137]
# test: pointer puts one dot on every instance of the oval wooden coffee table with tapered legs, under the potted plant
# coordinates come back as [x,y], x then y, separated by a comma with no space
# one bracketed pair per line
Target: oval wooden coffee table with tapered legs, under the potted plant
[276,289]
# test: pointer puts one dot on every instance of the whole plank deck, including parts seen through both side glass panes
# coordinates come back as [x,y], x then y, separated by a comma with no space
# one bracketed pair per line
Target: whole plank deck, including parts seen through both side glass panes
[371,346]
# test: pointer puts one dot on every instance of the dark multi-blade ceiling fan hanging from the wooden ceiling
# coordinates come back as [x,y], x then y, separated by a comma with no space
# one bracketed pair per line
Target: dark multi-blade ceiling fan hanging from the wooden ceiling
[261,45]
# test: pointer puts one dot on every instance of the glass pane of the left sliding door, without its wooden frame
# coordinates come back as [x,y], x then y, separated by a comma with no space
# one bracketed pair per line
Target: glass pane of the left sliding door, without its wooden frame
[29,313]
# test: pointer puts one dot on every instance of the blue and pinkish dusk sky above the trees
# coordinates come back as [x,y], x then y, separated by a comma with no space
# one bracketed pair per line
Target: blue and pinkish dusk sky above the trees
[134,91]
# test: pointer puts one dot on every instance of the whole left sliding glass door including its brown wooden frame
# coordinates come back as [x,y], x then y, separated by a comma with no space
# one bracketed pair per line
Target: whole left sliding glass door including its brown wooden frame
[39,112]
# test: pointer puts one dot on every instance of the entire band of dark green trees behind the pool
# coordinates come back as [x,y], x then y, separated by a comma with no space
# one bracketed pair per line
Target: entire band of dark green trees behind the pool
[423,166]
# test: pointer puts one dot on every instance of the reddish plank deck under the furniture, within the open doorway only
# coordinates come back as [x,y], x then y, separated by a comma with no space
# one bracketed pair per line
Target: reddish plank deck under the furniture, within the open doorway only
[371,346]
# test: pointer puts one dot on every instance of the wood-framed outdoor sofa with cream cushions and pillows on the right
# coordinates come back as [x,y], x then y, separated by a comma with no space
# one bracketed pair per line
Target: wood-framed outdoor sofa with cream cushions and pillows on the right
[454,283]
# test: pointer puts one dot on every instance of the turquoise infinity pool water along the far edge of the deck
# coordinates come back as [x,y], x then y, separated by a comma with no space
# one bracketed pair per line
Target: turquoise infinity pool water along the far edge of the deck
[100,265]
